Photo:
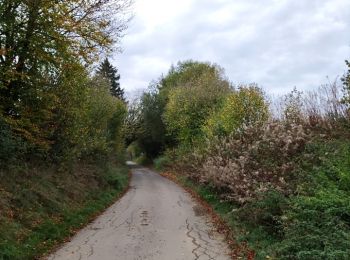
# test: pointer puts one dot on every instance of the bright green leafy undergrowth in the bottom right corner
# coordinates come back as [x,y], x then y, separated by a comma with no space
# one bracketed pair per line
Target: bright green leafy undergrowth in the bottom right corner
[317,222]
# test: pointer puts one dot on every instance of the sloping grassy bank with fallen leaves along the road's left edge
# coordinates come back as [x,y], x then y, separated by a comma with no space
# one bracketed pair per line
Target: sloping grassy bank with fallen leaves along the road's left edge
[42,208]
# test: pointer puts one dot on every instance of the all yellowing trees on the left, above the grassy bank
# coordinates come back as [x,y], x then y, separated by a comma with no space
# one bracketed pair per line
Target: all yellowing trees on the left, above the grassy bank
[50,104]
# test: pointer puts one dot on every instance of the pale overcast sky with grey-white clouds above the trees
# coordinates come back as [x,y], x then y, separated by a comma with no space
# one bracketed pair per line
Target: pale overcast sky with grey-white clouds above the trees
[278,44]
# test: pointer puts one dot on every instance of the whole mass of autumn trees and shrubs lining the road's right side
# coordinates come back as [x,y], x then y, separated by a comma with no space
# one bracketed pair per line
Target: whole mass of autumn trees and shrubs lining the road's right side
[280,163]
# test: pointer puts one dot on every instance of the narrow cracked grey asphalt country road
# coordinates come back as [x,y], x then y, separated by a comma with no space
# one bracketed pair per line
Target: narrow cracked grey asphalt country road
[156,219]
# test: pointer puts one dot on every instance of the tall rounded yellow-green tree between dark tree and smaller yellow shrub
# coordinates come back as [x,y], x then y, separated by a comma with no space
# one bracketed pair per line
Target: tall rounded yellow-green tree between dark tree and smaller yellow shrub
[200,89]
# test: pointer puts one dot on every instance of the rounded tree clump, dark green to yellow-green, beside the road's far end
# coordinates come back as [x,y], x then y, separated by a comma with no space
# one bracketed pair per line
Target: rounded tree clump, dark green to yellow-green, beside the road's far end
[172,112]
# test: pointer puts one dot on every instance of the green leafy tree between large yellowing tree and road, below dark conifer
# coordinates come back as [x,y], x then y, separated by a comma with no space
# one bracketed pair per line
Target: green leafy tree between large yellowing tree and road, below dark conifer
[90,121]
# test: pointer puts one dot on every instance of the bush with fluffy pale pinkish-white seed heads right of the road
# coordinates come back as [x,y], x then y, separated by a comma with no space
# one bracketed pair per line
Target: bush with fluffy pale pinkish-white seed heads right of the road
[260,159]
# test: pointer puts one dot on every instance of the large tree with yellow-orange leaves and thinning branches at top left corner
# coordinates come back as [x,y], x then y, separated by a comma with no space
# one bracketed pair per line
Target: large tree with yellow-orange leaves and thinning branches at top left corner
[39,40]
